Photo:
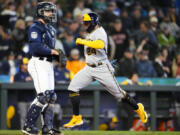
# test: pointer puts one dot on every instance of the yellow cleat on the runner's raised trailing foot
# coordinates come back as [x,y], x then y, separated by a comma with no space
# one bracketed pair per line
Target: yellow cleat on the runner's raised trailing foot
[142,113]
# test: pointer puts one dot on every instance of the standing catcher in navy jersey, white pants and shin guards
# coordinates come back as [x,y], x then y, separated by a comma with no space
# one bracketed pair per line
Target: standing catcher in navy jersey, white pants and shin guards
[41,37]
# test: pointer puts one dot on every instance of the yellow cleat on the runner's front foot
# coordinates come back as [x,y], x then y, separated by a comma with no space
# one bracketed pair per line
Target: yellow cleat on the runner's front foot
[75,121]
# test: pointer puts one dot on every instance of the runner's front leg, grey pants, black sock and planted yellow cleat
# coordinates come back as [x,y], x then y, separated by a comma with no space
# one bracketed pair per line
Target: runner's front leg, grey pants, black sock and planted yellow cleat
[80,80]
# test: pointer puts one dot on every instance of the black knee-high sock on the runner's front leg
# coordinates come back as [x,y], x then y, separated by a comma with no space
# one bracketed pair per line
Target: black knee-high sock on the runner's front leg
[75,100]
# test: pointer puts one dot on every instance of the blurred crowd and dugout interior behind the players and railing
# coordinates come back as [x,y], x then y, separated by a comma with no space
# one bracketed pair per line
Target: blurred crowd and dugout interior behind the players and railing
[142,34]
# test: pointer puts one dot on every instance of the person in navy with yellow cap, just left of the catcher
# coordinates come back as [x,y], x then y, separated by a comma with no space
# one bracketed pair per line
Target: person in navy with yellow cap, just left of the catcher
[23,75]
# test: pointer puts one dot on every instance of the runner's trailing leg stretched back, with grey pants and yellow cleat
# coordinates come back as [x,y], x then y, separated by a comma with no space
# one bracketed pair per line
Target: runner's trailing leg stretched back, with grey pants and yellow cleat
[107,79]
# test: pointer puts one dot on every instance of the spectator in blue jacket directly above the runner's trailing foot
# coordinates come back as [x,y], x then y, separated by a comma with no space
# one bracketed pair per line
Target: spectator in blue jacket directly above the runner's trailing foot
[144,66]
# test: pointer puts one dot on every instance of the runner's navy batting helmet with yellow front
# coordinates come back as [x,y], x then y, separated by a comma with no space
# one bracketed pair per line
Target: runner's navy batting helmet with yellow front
[92,19]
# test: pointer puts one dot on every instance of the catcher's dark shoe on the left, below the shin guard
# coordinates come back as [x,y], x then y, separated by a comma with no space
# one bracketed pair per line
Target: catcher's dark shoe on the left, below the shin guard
[30,131]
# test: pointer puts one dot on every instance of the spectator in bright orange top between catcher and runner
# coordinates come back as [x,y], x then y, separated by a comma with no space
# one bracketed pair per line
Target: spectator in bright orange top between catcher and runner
[74,63]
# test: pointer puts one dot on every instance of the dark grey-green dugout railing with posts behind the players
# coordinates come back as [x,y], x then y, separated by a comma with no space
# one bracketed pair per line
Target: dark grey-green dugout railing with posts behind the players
[96,89]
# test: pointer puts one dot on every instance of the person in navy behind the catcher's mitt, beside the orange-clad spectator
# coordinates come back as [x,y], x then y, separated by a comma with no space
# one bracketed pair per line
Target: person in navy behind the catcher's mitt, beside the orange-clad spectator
[61,74]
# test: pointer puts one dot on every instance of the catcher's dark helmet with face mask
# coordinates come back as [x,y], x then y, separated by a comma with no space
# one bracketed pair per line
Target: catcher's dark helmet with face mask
[46,6]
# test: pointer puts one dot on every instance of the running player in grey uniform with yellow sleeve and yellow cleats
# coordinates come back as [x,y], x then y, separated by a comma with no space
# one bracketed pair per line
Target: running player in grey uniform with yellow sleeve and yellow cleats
[98,68]
